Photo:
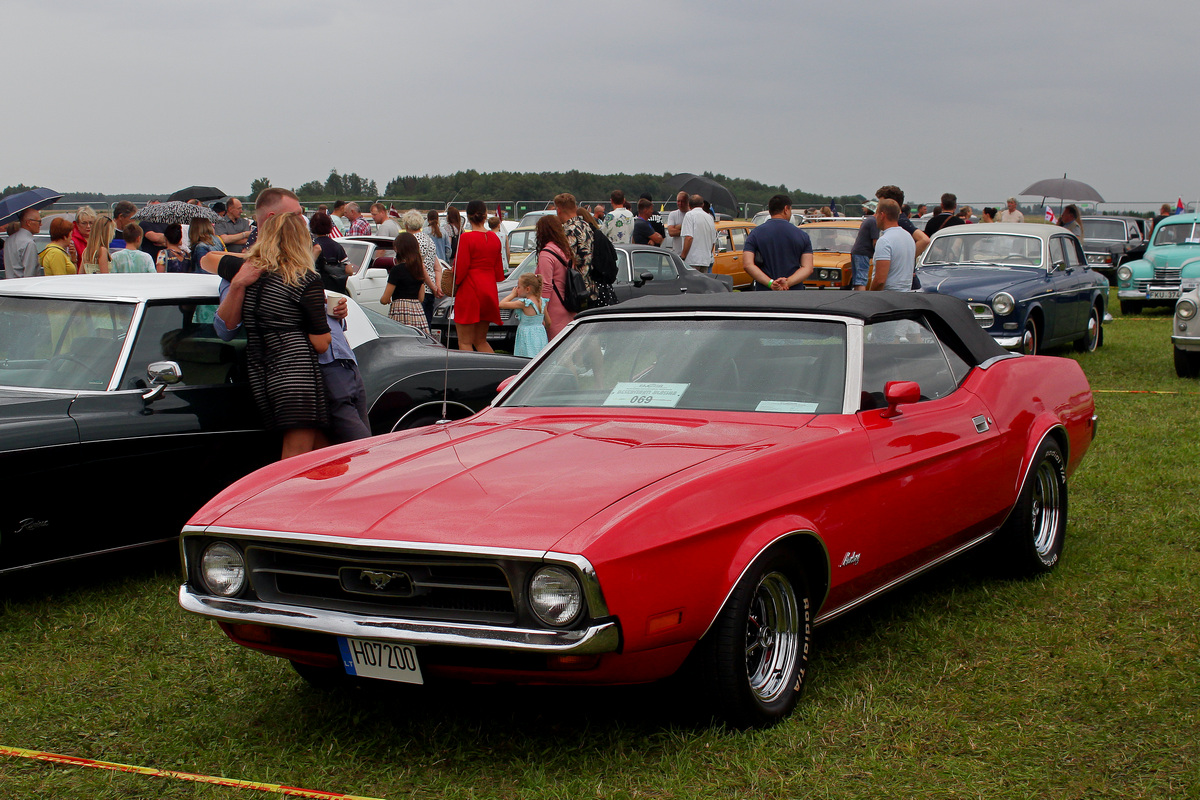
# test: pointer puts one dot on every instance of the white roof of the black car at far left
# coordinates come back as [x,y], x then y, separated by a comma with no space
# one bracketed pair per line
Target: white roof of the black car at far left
[131,288]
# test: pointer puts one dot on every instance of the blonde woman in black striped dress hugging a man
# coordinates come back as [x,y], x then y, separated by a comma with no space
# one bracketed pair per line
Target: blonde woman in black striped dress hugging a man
[284,314]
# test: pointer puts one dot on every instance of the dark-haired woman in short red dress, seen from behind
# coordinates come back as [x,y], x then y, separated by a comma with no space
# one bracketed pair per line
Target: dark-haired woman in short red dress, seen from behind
[477,270]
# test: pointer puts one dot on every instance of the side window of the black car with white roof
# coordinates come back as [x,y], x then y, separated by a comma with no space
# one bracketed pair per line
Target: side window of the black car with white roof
[184,334]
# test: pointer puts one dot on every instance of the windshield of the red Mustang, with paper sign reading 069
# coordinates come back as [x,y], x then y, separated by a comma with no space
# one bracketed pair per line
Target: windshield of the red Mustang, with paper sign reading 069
[736,365]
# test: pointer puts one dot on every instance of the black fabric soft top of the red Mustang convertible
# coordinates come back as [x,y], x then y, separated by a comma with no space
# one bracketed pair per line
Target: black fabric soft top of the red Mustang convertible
[950,317]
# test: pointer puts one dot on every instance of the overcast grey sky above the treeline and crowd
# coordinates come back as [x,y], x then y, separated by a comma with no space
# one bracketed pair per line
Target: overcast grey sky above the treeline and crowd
[830,98]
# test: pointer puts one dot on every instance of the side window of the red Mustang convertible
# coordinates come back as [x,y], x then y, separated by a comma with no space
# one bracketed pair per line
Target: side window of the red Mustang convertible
[907,350]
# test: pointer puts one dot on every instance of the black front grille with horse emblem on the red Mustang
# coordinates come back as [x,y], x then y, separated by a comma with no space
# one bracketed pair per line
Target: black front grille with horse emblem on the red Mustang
[385,585]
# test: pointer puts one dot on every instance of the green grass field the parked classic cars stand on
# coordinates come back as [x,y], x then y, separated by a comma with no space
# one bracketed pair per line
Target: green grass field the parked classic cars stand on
[1083,684]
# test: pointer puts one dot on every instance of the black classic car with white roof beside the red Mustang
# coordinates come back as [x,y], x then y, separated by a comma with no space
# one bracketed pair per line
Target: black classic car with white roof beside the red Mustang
[123,412]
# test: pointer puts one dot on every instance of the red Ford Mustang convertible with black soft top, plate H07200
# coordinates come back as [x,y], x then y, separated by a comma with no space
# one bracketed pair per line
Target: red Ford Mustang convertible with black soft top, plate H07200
[676,482]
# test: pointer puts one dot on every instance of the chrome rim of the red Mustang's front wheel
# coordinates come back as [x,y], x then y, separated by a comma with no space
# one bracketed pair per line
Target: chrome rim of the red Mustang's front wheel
[773,637]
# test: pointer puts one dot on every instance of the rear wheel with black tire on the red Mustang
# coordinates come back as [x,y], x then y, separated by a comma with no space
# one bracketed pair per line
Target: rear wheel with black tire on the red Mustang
[1031,539]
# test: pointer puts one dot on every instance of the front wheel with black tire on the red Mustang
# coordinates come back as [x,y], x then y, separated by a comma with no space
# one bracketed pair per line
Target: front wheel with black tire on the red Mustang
[755,658]
